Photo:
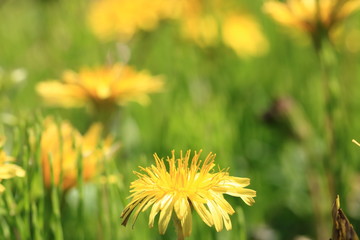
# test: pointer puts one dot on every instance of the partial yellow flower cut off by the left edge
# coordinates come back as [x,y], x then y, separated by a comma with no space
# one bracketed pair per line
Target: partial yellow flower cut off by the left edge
[8,169]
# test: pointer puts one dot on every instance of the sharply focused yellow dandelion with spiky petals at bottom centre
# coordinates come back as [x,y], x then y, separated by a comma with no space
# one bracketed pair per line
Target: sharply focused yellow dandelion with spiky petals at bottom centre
[186,186]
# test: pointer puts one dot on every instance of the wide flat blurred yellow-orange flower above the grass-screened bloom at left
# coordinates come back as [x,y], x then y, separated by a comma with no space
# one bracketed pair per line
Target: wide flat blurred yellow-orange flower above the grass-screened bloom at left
[100,88]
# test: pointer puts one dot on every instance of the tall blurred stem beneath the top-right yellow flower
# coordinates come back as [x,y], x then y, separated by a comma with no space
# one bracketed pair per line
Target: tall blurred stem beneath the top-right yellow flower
[331,89]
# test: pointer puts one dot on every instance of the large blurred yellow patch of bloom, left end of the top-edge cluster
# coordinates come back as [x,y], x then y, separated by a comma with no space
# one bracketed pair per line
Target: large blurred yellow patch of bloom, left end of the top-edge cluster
[121,19]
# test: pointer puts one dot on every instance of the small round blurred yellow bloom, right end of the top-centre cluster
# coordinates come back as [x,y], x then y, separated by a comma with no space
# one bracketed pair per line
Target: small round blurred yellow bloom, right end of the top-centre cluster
[242,34]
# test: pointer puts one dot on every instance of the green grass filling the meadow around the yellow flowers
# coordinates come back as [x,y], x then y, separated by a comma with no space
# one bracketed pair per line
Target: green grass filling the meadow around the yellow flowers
[212,100]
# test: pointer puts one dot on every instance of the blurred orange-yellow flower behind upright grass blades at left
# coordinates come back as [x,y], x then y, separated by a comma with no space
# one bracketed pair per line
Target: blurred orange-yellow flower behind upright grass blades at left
[63,146]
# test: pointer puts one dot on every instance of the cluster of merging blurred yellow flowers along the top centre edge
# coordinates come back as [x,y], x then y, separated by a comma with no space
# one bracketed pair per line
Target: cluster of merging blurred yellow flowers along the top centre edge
[203,22]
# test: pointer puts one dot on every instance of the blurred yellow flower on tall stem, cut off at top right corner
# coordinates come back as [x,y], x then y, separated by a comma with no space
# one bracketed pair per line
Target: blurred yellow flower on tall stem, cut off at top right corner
[311,15]
